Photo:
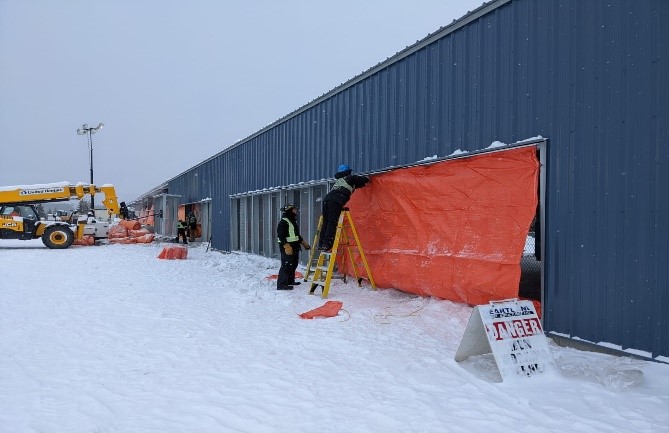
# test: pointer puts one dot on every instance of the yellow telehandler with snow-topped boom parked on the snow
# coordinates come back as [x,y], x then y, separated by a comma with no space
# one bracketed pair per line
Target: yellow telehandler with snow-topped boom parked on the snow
[19,218]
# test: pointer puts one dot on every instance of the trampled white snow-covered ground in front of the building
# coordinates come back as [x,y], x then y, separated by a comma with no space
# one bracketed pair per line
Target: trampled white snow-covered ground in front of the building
[112,339]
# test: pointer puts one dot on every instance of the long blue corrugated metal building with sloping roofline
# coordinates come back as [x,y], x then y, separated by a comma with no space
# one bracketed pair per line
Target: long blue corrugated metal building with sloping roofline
[589,77]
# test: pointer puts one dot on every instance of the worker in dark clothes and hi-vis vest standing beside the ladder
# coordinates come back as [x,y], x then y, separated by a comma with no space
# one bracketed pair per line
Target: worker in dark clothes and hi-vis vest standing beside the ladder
[290,241]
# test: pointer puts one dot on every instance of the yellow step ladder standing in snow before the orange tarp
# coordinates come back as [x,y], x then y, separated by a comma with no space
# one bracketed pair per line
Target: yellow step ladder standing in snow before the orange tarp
[321,268]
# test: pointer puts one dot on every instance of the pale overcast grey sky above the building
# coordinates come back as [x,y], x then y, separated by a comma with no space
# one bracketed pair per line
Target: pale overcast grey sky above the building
[176,82]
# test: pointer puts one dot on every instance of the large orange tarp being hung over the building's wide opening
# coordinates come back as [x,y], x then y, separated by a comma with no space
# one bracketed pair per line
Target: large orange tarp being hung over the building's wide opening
[454,229]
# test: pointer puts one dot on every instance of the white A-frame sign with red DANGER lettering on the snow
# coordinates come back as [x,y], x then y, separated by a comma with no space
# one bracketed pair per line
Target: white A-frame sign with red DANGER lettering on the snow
[512,331]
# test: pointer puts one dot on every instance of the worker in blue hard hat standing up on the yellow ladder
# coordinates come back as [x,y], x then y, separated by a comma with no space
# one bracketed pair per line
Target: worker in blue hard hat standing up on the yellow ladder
[335,201]
